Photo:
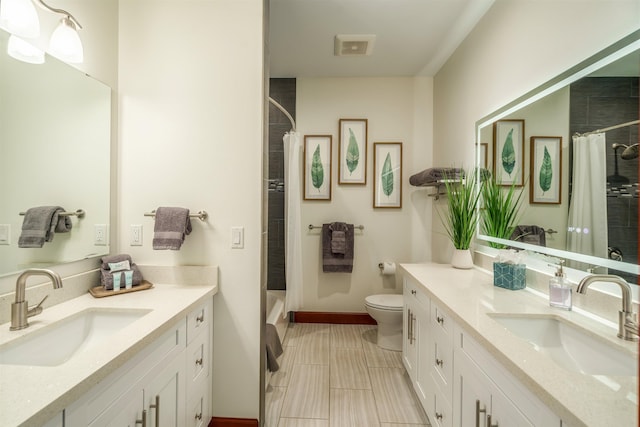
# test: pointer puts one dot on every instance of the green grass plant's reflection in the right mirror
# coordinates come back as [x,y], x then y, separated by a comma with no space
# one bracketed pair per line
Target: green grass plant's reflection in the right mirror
[500,212]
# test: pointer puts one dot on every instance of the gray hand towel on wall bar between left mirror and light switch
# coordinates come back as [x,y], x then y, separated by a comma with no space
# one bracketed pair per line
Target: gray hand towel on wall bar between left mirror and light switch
[172,225]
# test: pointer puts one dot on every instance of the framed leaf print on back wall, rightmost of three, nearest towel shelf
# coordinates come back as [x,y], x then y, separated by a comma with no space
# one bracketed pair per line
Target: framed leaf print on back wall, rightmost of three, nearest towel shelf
[387,175]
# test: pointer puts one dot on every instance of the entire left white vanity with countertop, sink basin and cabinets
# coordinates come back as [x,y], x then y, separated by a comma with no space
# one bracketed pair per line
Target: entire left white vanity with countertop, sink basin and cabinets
[154,366]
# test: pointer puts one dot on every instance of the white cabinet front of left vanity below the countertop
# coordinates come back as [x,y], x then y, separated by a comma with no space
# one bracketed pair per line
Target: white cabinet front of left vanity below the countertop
[166,384]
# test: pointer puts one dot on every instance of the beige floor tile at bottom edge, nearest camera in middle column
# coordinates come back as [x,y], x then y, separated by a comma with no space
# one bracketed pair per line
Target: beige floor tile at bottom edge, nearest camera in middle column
[351,408]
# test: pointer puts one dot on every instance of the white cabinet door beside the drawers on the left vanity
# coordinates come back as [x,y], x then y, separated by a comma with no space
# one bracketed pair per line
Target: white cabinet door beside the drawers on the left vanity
[165,396]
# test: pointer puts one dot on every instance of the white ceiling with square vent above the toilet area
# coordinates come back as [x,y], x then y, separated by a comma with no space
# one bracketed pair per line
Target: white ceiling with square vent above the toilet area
[413,37]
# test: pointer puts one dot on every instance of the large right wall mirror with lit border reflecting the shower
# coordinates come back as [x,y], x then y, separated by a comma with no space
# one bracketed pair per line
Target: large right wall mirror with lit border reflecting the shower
[599,93]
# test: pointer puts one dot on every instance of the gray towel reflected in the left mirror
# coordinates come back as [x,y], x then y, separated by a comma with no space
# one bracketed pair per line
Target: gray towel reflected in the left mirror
[39,225]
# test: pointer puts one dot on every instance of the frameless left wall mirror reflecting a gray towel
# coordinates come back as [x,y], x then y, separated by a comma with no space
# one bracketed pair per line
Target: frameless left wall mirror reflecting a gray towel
[55,141]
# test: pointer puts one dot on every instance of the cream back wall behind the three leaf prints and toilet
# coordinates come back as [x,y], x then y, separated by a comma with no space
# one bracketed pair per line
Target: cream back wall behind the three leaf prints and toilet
[397,110]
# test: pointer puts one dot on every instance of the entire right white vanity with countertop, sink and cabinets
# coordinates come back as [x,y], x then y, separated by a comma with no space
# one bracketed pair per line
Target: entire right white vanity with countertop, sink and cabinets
[476,355]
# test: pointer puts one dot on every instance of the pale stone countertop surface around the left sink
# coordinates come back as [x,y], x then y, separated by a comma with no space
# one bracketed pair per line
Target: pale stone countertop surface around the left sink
[32,395]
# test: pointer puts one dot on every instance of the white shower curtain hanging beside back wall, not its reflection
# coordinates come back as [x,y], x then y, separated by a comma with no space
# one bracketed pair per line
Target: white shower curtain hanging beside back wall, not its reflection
[293,241]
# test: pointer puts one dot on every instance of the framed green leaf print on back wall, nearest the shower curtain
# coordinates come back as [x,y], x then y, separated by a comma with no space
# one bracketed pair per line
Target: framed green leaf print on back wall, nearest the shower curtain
[317,167]
